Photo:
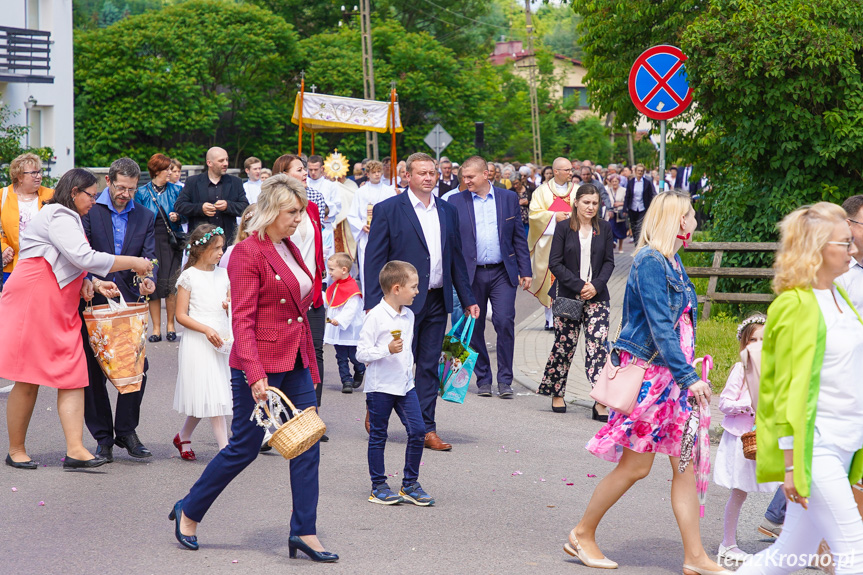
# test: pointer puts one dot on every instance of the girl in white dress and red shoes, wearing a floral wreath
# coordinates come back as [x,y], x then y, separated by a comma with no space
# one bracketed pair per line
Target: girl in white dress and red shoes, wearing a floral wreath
[203,375]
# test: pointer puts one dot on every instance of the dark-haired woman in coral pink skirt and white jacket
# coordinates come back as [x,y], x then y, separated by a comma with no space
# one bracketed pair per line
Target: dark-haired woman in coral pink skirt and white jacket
[40,304]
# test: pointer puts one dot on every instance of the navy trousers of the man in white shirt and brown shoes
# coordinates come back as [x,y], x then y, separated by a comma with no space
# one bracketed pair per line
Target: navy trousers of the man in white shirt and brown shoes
[429,330]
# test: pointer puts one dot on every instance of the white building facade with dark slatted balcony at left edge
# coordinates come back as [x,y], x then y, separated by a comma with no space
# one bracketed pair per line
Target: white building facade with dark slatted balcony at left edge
[36,74]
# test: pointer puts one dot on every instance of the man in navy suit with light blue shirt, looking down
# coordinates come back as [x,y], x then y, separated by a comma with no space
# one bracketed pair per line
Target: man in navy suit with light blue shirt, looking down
[497,260]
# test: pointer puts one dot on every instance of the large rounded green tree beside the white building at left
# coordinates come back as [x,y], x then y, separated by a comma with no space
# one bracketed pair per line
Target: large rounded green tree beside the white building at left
[185,78]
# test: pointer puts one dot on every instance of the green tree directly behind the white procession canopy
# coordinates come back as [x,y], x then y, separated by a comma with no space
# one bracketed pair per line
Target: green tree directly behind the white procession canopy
[433,84]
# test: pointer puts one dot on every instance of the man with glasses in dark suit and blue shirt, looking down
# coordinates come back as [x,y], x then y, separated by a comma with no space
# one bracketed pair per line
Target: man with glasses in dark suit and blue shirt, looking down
[120,226]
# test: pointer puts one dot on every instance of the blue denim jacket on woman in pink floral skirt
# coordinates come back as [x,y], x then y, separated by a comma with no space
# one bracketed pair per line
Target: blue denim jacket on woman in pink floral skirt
[655,298]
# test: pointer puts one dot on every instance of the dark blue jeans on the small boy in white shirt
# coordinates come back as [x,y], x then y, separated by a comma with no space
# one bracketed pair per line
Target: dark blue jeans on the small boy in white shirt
[407,407]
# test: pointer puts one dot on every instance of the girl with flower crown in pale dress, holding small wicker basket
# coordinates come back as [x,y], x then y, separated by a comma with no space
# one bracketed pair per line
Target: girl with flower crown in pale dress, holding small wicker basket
[732,470]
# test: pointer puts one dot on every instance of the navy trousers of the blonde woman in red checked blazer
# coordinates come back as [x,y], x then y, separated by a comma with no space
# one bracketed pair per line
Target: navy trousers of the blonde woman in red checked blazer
[245,445]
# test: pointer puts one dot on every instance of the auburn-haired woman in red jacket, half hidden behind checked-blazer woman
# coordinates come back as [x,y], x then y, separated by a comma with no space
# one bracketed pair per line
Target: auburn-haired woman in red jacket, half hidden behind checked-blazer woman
[295,167]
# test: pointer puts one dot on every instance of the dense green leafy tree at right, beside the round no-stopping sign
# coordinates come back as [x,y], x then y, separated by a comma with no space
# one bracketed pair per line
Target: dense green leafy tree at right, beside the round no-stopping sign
[779,87]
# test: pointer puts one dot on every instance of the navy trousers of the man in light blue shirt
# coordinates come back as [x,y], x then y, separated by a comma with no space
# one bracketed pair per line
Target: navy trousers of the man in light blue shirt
[492,283]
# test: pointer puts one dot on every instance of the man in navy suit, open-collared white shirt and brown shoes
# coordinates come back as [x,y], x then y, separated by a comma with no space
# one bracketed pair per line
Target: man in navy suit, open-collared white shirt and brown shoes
[418,228]
